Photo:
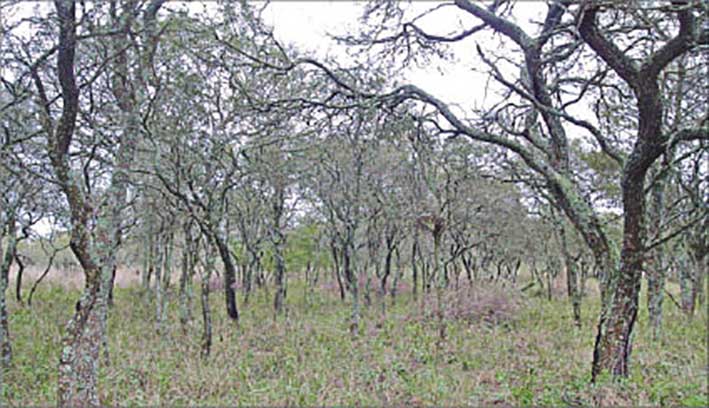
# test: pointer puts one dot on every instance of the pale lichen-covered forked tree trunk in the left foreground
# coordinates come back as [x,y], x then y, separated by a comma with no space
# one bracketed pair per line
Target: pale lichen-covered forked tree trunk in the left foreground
[94,230]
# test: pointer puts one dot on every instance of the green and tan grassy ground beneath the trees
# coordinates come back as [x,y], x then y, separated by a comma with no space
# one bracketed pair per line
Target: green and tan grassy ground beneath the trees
[529,355]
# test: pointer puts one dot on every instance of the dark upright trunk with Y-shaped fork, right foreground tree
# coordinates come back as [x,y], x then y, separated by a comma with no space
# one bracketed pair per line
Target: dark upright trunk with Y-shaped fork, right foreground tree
[614,339]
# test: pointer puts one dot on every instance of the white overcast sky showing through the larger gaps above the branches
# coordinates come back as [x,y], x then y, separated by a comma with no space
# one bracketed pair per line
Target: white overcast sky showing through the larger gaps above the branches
[307,24]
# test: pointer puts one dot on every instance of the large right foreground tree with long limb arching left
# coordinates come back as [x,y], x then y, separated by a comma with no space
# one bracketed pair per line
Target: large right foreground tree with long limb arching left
[546,60]
